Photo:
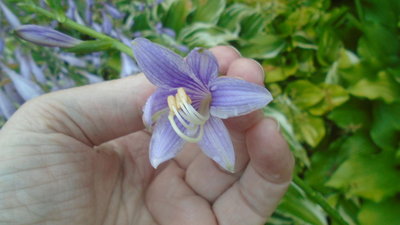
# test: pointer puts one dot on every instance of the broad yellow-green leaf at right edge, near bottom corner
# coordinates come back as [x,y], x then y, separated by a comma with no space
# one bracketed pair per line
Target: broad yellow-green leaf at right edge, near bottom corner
[371,176]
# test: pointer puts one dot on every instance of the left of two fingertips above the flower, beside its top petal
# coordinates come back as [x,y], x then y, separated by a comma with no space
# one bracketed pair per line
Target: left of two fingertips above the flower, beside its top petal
[225,56]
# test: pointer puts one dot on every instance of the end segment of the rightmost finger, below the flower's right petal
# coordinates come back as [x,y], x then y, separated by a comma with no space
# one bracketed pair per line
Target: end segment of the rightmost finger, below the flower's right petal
[269,153]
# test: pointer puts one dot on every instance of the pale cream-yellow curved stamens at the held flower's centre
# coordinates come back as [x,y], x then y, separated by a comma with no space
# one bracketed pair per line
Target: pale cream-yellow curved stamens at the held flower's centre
[180,106]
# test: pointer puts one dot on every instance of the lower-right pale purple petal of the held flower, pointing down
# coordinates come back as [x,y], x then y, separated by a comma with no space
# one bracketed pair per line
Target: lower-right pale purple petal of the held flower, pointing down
[217,144]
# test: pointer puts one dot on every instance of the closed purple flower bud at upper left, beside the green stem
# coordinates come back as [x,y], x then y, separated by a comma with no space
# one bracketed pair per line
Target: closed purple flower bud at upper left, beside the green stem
[46,36]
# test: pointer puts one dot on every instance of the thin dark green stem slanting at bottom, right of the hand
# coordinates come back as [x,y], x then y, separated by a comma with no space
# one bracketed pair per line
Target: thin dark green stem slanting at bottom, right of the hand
[320,200]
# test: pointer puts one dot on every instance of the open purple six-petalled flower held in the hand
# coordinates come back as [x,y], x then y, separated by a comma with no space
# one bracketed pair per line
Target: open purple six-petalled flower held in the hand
[191,101]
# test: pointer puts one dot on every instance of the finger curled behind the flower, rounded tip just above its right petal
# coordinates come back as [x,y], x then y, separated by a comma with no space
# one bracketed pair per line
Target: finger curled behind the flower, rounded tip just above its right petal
[203,175]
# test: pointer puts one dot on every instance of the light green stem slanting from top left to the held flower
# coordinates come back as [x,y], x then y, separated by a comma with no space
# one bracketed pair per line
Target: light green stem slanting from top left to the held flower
[81,28]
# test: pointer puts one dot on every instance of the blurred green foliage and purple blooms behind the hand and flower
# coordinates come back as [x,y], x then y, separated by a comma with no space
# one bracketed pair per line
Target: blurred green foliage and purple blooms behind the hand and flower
[332,66]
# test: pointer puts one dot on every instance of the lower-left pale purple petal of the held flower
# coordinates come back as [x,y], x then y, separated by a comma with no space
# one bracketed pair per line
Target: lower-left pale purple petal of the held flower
[165,143]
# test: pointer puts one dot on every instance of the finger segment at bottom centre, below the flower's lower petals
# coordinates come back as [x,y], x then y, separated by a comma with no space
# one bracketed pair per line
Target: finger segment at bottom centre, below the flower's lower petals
[171,201]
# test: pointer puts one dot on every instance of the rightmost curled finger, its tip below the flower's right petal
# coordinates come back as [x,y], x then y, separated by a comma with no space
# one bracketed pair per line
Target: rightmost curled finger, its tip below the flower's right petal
[255,196]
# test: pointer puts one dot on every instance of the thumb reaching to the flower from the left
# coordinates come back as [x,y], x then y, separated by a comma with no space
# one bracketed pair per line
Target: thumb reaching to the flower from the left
[93,114]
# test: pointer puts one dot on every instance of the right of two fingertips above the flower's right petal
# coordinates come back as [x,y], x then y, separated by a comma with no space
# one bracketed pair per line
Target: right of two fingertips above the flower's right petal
[247,69]
